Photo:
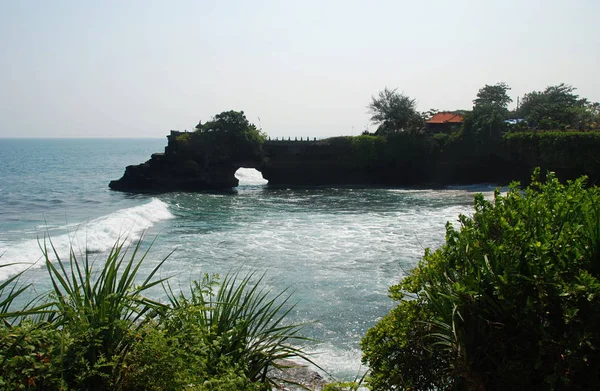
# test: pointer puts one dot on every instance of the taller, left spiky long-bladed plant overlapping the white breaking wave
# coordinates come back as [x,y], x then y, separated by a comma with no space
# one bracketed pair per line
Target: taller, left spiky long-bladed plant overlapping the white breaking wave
[100,311]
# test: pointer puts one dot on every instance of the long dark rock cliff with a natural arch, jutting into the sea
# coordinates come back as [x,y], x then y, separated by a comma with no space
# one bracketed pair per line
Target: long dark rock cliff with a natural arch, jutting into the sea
[194,162]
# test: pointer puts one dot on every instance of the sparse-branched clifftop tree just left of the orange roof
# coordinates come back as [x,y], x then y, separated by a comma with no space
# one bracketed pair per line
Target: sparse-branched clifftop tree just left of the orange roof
[394,112]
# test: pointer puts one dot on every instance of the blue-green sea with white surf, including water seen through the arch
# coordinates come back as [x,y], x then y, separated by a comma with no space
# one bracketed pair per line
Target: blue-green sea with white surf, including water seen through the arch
[337,249]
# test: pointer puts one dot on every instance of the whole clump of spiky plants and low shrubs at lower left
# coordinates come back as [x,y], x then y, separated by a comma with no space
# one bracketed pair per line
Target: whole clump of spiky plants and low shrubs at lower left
[97,331]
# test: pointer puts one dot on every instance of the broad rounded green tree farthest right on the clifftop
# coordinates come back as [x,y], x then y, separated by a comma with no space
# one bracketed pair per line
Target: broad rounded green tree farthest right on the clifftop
[557,107]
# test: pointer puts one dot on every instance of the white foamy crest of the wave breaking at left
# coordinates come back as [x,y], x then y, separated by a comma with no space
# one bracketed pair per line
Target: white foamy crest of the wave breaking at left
[97,235]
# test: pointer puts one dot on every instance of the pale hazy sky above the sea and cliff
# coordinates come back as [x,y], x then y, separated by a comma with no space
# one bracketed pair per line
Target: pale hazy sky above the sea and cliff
[305,68]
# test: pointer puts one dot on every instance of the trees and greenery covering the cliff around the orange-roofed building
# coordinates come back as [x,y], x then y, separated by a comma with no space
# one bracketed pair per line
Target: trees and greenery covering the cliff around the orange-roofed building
[488,147]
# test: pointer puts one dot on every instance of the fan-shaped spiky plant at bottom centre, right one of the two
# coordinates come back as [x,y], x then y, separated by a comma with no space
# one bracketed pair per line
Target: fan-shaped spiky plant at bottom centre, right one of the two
[235,320]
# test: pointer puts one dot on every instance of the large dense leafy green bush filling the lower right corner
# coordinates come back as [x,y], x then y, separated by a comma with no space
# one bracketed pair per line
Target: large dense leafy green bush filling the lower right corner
[512,300]
